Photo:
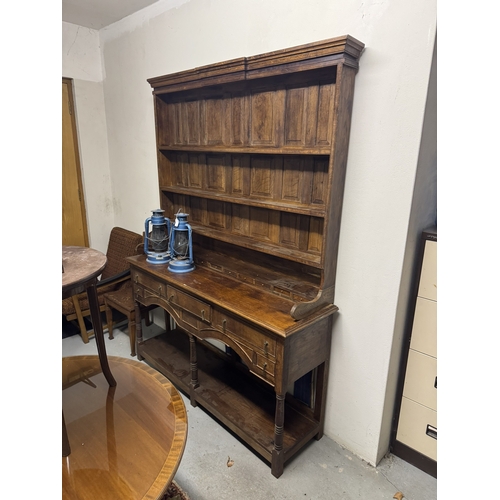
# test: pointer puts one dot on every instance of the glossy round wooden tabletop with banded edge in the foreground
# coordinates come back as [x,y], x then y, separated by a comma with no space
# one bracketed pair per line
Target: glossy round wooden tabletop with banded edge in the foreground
[126,441]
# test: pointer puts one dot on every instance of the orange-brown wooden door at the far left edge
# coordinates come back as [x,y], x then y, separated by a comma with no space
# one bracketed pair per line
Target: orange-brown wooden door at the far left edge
[74,219]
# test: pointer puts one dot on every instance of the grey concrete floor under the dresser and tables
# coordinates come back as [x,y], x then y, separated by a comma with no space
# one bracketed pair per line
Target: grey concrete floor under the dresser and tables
[323,470]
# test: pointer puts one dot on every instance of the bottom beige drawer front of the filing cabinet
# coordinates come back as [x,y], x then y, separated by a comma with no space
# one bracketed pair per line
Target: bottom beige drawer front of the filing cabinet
[413,421]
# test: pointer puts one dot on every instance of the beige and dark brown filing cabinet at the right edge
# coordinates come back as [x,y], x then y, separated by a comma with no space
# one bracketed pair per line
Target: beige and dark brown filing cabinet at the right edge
[415,430]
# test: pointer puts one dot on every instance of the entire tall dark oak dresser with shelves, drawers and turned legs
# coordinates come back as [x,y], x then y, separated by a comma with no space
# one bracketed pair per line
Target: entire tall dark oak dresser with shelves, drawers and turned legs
[254,150]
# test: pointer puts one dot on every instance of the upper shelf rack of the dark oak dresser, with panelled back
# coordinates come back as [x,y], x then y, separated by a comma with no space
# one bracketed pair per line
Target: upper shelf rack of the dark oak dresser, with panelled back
[255,149]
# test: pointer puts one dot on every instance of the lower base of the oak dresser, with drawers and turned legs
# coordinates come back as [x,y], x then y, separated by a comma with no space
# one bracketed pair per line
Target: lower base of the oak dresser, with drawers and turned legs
[246,390]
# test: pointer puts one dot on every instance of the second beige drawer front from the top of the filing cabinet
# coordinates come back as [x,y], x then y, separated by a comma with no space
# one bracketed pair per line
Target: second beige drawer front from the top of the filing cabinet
[424,332]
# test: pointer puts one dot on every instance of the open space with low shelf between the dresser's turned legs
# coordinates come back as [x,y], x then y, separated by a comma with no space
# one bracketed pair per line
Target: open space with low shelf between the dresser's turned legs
[229,392]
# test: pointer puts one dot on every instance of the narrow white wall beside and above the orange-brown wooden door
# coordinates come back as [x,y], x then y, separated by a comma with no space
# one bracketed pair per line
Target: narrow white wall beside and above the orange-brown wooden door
[81,61]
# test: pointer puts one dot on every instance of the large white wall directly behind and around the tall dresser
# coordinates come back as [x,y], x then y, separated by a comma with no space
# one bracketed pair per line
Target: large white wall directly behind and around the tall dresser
[388,114]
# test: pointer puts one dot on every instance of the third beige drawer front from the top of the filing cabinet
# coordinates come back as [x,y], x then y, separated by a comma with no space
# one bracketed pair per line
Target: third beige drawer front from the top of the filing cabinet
[421,373]
